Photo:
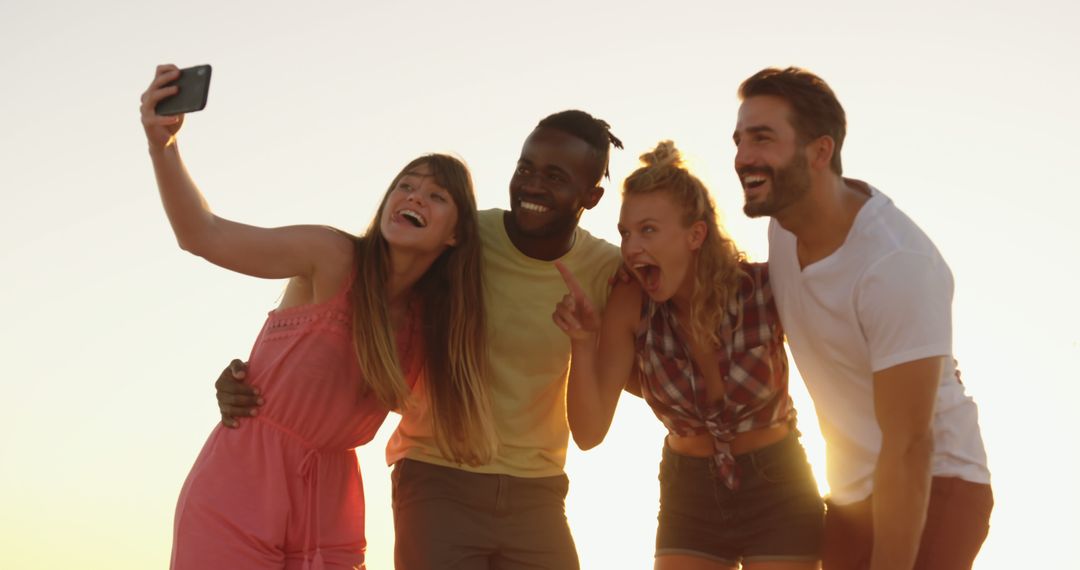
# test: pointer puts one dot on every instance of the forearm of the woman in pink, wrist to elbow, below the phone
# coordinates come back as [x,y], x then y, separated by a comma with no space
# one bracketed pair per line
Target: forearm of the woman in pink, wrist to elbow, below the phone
[188,213]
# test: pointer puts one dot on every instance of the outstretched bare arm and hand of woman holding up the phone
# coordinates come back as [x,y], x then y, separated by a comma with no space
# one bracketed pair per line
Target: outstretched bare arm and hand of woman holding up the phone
[276,253]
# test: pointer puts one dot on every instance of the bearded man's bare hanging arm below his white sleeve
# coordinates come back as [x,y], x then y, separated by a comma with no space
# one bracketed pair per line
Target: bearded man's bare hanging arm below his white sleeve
[904,404]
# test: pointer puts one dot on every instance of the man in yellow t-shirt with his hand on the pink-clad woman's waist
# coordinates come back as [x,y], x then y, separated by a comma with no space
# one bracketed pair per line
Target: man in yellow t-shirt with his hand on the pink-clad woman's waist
[509,513]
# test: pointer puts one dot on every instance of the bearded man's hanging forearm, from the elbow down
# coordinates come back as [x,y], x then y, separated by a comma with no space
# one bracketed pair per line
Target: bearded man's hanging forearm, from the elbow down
[901,496]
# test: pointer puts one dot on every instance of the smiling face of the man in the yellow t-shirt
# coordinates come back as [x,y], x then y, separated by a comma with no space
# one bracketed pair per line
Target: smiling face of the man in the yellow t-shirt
[555,181]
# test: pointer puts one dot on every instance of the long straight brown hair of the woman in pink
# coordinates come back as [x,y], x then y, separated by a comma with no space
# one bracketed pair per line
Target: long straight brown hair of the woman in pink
[452,293]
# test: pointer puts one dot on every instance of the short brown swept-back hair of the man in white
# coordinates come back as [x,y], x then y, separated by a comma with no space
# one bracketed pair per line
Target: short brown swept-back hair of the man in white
[816,111]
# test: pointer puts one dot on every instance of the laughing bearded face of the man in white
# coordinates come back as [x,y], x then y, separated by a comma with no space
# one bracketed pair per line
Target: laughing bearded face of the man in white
[772,161]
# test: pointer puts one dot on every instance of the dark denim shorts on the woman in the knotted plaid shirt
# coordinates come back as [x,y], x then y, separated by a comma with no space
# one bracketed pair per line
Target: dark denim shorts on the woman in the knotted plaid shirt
[777,513]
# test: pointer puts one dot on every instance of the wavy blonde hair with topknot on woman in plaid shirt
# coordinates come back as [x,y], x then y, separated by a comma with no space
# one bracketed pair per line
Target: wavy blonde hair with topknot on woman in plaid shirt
[717,270]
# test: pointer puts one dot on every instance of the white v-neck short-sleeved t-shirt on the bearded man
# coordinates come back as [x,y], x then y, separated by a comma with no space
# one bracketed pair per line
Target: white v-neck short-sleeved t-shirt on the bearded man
[883,298]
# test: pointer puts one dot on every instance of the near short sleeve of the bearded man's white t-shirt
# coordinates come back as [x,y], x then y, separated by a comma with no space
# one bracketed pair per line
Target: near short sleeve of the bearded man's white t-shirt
[906,309]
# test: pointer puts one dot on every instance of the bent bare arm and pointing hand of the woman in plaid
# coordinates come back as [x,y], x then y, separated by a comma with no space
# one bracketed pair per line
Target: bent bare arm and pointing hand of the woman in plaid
[595,388]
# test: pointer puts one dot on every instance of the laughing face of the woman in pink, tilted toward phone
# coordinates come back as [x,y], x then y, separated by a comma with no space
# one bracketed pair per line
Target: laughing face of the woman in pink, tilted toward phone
[420,214]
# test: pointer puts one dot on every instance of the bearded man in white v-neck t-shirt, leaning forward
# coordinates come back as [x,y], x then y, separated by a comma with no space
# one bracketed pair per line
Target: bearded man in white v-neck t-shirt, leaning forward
[866,300]
